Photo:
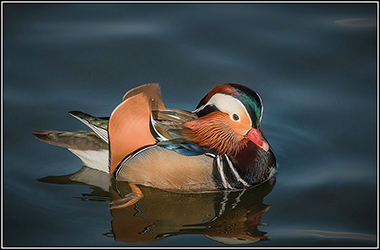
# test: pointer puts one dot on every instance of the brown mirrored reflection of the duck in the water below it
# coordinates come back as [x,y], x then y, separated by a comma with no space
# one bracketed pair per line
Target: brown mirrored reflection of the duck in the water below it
[230,217]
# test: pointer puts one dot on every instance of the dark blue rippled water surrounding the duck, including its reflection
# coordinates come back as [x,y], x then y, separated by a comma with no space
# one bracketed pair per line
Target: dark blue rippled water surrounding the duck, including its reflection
[314,66]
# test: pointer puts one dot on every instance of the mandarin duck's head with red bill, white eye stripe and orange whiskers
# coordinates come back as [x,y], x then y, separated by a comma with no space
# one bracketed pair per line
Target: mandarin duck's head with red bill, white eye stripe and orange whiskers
[229,117]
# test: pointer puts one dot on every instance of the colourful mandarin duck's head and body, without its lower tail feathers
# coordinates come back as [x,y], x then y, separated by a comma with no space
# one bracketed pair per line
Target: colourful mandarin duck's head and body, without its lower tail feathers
[217,146]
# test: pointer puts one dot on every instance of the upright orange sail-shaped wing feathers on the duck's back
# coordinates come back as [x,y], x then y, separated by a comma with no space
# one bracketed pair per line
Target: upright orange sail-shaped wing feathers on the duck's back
[129,124]
